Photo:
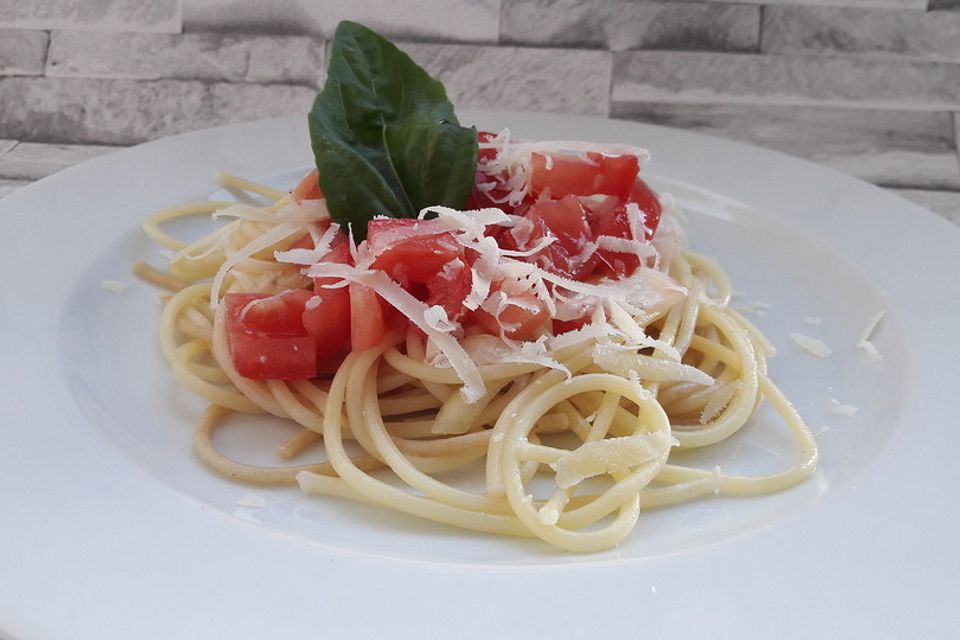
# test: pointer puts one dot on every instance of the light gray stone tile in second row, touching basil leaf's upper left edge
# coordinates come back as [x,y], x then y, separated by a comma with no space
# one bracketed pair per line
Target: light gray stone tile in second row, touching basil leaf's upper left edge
[192,56]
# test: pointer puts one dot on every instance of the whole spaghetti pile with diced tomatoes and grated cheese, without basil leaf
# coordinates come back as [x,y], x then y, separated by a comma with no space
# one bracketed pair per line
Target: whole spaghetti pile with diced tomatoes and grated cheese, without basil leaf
[555,340]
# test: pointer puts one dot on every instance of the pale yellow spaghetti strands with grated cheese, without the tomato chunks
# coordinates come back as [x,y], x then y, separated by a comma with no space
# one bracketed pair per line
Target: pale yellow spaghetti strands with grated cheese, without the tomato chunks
[571,432]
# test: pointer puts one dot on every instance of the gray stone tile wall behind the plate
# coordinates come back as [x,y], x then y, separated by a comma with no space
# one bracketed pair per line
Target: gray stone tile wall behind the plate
[870,87]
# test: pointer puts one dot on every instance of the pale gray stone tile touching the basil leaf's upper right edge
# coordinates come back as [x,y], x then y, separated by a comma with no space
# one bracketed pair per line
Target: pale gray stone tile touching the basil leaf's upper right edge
[532,79]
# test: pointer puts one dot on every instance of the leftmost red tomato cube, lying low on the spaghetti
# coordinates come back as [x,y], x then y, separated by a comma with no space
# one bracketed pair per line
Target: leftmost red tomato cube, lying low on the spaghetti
[267,339]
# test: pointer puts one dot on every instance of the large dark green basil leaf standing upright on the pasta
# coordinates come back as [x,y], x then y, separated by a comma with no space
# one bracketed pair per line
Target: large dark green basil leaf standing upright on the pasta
[384,135]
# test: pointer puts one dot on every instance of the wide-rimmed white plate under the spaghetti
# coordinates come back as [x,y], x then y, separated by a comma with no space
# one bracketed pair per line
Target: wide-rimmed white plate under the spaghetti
[111,529]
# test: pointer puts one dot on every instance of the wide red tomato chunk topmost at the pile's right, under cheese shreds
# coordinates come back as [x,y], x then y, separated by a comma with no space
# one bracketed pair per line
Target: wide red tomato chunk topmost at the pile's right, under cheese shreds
[595,174]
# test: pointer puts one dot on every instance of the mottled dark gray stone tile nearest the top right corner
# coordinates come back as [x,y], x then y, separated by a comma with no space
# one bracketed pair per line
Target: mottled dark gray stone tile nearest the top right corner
[913,34]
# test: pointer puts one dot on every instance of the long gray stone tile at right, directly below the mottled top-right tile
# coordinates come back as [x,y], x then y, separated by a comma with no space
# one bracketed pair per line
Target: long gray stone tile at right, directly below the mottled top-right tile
[654,76]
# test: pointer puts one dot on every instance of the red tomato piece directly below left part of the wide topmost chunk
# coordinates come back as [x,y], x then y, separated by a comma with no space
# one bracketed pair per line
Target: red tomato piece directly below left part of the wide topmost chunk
[565,220]
